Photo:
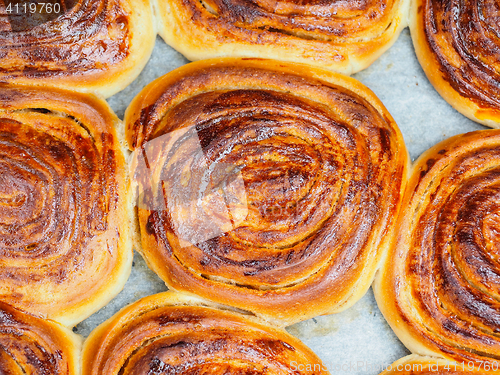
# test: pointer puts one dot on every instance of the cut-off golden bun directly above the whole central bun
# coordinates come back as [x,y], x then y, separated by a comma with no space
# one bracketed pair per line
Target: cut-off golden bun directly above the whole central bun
[343,36]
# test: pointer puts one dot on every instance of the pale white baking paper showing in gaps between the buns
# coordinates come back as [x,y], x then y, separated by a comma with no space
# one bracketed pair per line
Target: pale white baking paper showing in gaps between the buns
[357,341]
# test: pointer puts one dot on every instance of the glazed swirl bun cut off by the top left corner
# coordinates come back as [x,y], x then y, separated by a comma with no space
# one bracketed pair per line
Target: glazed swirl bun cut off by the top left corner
[97,46]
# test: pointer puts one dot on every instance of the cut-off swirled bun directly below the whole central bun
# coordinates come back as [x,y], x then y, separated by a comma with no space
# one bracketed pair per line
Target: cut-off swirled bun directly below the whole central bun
[169,333]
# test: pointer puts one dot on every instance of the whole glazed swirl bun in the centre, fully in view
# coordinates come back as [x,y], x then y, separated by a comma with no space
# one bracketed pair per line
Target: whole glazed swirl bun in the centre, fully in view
[263,185]
